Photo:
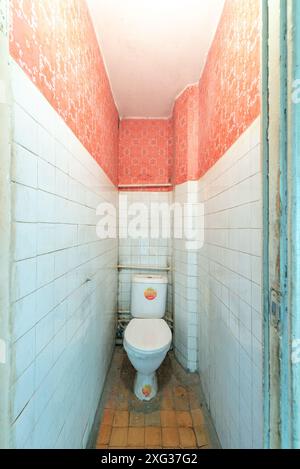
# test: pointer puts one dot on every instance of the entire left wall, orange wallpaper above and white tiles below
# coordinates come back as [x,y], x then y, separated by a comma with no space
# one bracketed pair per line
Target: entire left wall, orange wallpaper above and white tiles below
[64,279]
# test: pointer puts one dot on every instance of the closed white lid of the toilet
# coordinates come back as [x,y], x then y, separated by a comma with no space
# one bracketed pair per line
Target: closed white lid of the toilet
[148,334]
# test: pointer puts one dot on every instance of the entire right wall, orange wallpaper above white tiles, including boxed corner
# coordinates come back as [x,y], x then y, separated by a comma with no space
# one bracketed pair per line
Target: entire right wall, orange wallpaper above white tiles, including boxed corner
[225,289]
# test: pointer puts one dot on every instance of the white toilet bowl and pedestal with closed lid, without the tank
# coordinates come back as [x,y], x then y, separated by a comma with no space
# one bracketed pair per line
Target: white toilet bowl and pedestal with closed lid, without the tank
[147,342]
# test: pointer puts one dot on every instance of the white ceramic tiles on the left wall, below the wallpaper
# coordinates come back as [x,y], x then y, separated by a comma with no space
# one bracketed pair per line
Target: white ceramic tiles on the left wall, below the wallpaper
[64,279]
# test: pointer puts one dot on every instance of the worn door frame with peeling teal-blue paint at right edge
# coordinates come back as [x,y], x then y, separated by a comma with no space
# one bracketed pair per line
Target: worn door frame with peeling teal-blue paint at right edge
[281,210]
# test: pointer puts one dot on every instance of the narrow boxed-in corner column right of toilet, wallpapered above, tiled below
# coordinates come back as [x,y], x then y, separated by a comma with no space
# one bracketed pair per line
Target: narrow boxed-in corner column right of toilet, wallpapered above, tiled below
[186,128]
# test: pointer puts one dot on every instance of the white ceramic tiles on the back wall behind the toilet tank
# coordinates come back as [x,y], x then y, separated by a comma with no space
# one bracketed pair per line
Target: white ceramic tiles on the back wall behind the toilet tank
[147,251]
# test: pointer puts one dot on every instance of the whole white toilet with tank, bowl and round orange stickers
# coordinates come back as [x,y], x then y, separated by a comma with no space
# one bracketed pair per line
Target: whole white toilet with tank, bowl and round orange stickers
[147,337]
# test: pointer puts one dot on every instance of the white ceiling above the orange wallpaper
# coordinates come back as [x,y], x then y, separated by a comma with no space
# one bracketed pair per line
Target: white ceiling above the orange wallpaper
[153,49]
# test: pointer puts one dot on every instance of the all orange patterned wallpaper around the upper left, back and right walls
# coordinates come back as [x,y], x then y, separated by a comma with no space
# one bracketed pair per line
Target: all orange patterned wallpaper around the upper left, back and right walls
[55,44]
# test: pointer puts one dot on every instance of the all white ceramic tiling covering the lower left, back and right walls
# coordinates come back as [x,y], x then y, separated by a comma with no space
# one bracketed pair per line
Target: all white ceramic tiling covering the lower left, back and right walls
[63,326]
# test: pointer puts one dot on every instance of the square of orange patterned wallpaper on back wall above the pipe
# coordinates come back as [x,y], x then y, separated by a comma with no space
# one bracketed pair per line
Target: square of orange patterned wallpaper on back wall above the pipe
[145,151]
